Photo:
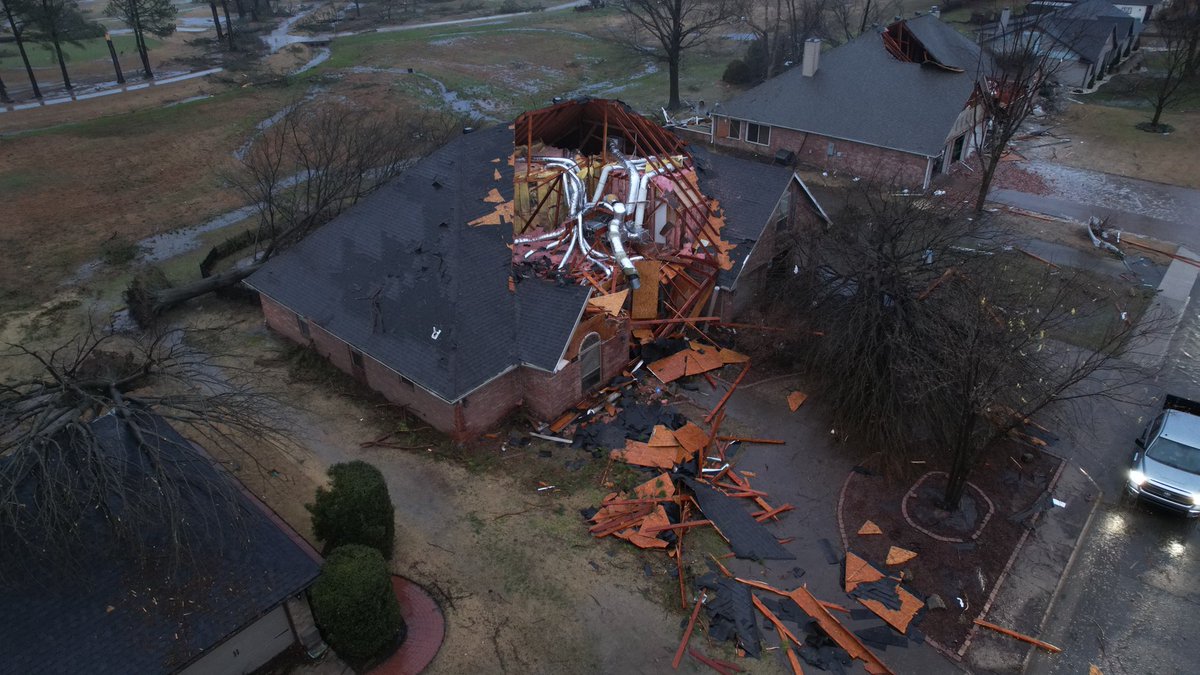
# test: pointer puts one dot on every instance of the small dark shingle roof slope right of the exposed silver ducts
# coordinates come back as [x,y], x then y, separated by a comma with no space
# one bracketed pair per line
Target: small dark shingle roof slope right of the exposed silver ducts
[747,193]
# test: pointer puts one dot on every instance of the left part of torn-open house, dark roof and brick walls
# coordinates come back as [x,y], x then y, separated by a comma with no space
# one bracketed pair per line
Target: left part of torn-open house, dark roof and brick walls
[401,292]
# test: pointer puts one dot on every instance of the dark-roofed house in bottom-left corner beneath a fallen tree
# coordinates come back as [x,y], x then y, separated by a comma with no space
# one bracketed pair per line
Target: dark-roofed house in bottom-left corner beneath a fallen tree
[233,602]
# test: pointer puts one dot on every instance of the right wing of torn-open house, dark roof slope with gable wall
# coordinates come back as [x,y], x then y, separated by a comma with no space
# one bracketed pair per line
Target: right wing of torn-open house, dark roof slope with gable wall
[761,205]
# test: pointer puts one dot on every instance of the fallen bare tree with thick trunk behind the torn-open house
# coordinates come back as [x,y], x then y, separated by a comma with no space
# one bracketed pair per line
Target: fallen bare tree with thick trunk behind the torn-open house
[316,162]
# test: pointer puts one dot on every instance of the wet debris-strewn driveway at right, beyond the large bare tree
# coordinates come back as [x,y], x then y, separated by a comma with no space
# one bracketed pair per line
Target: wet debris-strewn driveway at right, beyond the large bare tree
[1163,212]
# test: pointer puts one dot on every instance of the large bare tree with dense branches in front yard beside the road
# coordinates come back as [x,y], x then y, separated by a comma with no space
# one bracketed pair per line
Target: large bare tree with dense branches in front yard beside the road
[926,337]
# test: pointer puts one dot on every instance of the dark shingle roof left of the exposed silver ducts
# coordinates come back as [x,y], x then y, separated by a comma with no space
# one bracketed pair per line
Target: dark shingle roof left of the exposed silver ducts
[405,279]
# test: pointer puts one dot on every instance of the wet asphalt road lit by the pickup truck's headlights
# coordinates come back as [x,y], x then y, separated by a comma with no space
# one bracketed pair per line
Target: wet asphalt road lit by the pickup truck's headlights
[1132,604]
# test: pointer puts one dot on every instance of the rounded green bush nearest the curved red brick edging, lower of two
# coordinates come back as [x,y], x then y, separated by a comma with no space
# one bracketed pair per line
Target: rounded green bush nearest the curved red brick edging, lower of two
[355,605]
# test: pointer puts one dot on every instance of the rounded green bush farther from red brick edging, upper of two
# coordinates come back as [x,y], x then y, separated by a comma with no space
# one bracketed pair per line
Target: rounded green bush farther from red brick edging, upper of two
[356,510]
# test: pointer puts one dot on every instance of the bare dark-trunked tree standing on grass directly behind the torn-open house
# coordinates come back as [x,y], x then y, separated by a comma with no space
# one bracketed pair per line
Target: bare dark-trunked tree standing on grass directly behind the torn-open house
[677,26]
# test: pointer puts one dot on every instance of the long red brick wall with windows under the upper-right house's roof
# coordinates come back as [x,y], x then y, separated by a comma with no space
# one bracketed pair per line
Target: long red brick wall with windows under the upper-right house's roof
[813,151]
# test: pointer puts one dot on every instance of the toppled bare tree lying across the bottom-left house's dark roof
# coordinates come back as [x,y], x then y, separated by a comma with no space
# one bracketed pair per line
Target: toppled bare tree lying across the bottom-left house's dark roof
[58,470]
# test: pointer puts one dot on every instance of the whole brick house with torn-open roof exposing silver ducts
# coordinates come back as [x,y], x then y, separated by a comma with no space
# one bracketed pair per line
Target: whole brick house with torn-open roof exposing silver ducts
[517,266]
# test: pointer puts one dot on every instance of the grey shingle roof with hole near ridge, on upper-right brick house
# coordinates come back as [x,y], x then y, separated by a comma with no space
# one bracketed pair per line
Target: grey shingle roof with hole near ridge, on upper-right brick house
[861,93]
